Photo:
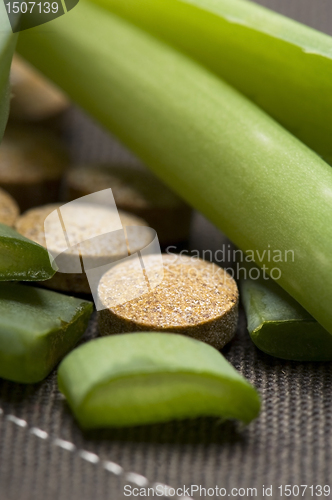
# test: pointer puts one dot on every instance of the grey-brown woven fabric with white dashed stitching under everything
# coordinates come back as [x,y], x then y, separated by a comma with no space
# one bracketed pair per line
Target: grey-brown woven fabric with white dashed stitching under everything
[290,442]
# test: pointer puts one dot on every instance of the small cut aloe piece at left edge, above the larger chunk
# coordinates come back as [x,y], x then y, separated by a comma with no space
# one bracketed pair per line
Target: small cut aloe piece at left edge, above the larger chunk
[22,259]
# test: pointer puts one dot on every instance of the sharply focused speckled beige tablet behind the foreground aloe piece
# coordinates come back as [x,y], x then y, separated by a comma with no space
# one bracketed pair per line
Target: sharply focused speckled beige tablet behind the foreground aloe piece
[195,298]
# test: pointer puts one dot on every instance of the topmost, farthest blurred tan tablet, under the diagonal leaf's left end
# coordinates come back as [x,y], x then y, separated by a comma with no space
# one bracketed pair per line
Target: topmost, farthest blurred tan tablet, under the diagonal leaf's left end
[34,97]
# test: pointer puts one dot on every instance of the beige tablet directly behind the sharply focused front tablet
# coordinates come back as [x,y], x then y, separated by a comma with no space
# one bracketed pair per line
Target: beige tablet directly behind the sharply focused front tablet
[82,223]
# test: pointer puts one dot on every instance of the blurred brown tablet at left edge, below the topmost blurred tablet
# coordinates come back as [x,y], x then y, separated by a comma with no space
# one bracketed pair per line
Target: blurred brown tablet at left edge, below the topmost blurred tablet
[32,162]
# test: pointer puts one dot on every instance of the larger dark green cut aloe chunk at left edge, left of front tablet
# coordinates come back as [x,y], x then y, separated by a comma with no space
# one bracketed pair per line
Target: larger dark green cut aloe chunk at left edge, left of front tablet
[37,328]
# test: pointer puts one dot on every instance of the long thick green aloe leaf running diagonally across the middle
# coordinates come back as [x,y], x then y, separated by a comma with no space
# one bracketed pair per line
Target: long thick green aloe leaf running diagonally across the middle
[254,180]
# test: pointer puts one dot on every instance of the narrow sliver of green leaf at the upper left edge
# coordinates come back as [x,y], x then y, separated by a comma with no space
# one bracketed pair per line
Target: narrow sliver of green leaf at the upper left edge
[7,46]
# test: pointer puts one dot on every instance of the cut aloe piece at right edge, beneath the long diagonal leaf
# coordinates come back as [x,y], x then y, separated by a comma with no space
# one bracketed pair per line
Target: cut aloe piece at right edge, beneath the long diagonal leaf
[279,326]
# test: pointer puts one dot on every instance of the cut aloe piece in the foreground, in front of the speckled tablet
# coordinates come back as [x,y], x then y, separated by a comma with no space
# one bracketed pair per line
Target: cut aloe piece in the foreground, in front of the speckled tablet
[143,378]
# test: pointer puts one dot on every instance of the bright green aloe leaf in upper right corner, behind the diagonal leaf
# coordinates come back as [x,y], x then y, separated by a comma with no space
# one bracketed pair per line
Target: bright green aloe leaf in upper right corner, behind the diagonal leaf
[283,66]
